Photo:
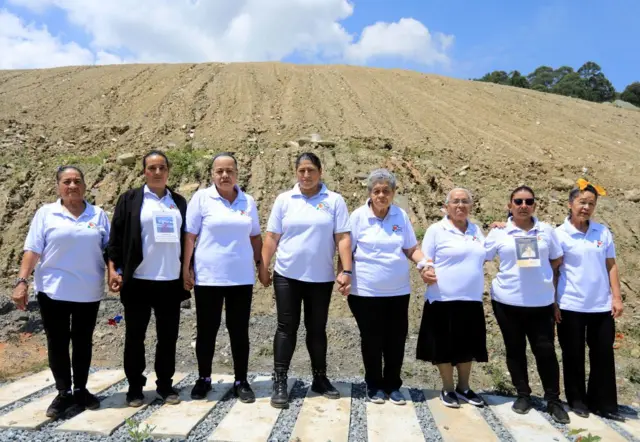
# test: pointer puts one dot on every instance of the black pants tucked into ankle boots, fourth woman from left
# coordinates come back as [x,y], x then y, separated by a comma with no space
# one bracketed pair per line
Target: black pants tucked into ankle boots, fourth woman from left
[290,294]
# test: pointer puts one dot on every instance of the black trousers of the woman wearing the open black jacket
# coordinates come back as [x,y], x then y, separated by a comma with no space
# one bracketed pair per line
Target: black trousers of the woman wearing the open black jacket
[143,297]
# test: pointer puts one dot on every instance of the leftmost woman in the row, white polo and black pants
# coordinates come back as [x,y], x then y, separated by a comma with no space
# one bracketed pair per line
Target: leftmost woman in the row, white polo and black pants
[65,245]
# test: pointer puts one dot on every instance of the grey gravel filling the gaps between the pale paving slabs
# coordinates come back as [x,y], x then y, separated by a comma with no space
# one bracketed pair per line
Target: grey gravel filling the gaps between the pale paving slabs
[286,421]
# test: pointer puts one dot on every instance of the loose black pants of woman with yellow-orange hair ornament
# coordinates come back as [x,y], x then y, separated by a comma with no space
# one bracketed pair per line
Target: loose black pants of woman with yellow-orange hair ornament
[598,330]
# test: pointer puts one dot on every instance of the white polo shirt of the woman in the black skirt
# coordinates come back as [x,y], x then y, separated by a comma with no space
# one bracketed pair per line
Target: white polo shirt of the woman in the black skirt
[458,260]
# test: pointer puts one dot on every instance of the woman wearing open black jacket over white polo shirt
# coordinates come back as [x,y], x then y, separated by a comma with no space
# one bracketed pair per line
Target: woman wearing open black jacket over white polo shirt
[145,262]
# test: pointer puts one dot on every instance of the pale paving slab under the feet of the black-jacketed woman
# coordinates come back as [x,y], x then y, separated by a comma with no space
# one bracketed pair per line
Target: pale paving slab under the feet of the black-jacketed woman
[113,411]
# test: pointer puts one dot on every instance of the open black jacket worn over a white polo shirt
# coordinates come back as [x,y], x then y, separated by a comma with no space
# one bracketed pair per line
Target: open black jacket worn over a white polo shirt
[125,240]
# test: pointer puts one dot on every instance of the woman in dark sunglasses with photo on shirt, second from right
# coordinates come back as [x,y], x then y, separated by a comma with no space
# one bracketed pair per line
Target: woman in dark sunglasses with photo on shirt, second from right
[523,295]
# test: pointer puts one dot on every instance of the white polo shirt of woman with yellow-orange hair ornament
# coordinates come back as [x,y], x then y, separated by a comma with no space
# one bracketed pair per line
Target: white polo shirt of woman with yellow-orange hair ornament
[584,280]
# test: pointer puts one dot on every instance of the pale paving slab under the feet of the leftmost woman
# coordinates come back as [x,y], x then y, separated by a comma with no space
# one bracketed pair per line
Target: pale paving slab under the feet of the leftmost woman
[32,416]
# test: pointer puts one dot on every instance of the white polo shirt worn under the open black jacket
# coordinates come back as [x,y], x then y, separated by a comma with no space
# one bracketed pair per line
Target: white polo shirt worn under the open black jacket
[160,260]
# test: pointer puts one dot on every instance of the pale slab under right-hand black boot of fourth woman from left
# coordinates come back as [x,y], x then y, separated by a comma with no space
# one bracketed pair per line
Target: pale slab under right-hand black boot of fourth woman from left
[332,416]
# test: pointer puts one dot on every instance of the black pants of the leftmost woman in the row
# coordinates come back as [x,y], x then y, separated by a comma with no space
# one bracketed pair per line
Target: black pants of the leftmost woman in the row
[65,322]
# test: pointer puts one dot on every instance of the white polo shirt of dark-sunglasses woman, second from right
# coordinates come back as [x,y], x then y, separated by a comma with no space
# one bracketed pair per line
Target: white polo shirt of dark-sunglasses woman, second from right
[523,286]
